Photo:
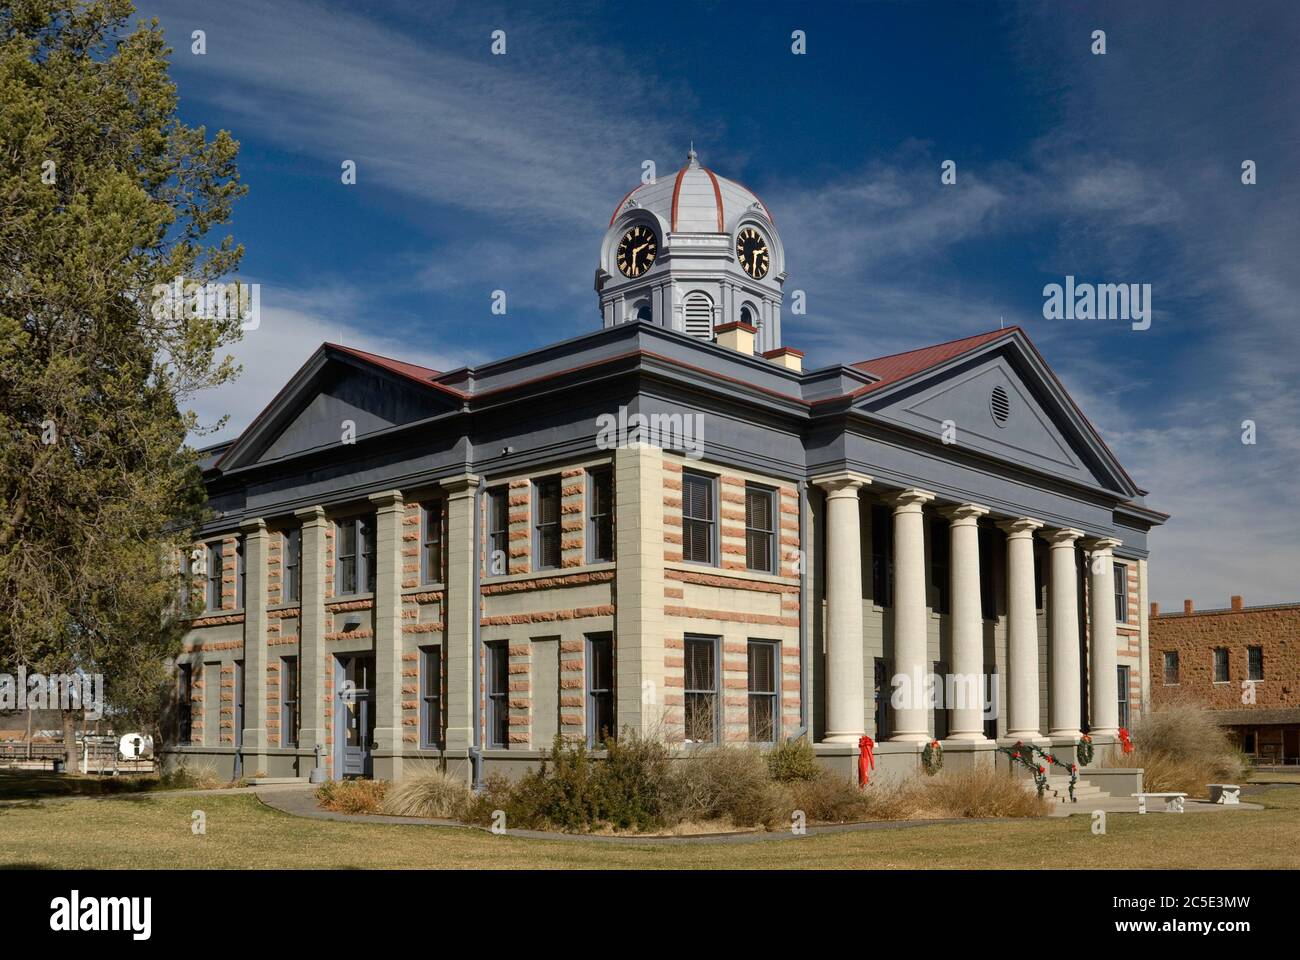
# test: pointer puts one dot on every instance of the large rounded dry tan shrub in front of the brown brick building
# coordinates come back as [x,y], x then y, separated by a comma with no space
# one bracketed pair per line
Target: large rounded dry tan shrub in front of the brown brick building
[1182,749]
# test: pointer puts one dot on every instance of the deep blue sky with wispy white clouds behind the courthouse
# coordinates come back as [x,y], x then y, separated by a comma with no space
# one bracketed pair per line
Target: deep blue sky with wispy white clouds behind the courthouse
[480,172]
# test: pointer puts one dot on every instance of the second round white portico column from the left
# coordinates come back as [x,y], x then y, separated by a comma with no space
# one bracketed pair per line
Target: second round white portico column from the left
[912,723]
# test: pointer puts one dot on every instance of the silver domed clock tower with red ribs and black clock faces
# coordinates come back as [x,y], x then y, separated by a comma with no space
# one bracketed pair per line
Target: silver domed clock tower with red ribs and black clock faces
[692,253]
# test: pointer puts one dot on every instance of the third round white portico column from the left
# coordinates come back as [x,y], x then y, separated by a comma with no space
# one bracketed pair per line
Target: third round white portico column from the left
[967,717]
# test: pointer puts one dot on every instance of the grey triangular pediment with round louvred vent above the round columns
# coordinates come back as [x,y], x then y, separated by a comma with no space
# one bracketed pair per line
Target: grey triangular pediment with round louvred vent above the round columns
[1002,401]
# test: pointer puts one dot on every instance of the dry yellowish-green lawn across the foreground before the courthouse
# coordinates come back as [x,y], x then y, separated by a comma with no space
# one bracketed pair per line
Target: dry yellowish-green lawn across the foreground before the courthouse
[154,831]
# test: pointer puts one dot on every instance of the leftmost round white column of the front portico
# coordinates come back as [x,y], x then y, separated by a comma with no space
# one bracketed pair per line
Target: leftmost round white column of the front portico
[846,678]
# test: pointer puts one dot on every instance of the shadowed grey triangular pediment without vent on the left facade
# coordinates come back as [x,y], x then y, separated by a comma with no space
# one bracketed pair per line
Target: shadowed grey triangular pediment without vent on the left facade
[332,399]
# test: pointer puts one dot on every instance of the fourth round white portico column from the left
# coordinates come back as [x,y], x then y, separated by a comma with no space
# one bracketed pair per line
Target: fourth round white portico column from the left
[1022,632]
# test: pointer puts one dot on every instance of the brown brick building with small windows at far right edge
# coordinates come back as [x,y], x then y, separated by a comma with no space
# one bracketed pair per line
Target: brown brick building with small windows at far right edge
[1245,663]
